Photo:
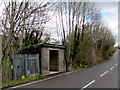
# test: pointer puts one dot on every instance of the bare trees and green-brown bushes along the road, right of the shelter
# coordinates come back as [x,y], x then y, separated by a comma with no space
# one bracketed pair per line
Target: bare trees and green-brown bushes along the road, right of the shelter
[88,41]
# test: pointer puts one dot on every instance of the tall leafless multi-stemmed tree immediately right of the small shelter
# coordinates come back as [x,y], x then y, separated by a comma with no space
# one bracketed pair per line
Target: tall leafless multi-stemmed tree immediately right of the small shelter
[81,28]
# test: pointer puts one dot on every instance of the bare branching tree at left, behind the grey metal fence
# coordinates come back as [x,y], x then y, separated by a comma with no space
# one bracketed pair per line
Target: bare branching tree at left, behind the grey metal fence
[21,19]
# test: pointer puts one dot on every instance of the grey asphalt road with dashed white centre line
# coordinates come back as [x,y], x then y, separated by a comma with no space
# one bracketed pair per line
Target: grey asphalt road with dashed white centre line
[104,75]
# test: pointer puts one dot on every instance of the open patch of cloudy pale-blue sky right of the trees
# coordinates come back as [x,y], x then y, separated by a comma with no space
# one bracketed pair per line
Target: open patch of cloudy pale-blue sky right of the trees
[109,11]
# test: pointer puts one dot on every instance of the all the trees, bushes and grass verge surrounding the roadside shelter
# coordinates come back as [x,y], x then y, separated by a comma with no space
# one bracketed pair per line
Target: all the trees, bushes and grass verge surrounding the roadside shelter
[78,26]
